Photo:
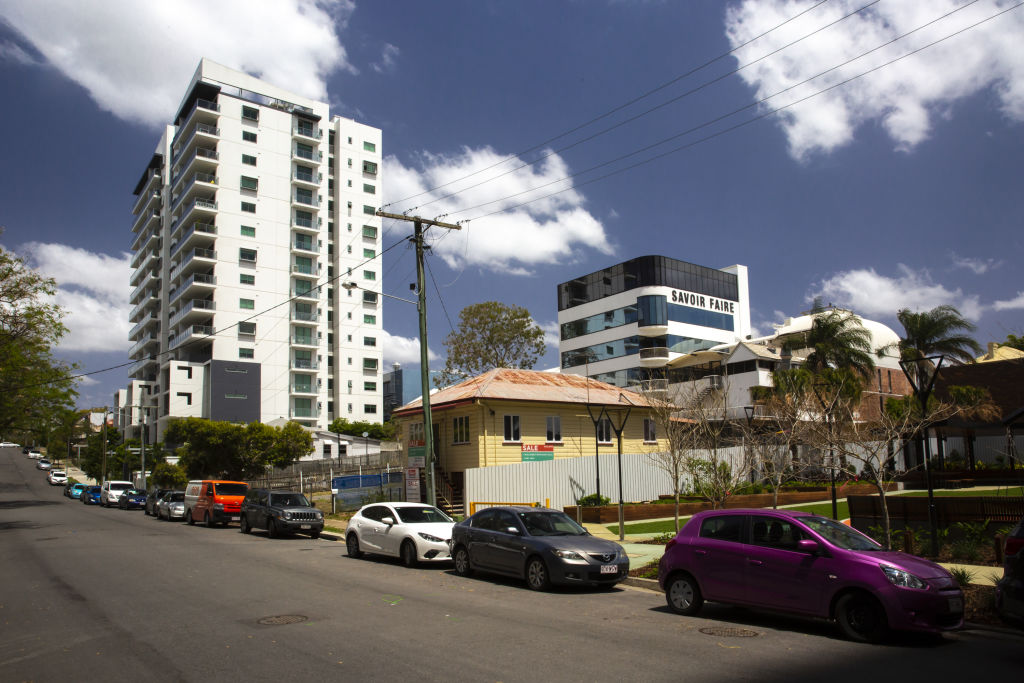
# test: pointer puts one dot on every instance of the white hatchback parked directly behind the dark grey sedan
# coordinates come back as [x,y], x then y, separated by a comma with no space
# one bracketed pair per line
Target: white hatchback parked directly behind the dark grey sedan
[414,532]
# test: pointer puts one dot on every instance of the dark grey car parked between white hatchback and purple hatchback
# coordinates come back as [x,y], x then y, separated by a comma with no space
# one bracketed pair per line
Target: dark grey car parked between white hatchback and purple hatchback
[542,546]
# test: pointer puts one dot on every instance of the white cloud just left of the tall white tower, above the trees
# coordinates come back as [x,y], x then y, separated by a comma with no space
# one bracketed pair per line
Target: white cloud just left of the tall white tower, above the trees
[93,289]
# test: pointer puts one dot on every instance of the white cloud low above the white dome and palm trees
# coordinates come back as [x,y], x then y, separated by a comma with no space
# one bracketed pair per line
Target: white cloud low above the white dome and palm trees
[870,294]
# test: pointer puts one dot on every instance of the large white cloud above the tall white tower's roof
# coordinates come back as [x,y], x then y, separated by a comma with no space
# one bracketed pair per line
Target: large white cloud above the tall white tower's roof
[135,58]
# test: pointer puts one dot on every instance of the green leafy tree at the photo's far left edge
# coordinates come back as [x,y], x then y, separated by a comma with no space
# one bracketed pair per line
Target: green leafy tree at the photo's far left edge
[34,387]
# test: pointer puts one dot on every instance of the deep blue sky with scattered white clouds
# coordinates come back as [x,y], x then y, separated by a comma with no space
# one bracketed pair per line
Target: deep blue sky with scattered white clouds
[868,152]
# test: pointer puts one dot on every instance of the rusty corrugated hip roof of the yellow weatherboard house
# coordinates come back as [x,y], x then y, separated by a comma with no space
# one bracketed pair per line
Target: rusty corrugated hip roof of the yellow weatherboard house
[508,385]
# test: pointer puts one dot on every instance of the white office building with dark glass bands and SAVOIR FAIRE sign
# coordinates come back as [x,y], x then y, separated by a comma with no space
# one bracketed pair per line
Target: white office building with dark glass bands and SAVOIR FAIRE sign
[625,324]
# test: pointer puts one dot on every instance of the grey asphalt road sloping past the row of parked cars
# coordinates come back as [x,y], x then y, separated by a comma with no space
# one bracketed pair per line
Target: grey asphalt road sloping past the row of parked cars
[92,593]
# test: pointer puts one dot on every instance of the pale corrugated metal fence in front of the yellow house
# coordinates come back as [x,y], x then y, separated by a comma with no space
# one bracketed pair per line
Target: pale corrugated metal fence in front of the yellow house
[566,481]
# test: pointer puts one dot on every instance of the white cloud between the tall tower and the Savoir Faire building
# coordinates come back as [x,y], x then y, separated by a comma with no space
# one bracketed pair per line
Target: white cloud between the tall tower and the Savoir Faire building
[547,232]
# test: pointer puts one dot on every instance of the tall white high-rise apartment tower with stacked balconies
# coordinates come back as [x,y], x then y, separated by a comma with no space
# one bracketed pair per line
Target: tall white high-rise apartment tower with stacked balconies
[254,208]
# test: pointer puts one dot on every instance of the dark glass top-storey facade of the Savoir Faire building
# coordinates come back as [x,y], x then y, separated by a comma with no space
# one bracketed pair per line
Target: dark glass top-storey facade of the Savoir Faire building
[649,272]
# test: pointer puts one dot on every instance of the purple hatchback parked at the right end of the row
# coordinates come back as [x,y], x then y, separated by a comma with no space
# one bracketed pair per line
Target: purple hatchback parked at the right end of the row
[806,565]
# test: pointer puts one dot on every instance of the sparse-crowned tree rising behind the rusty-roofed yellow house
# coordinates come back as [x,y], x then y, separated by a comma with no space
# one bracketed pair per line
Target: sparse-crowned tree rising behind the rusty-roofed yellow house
[491,335]
